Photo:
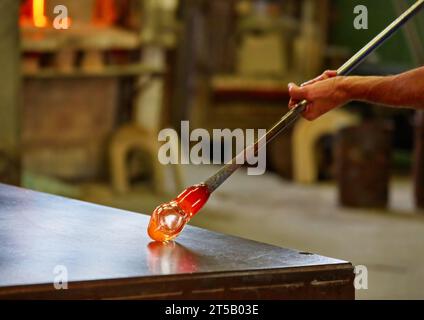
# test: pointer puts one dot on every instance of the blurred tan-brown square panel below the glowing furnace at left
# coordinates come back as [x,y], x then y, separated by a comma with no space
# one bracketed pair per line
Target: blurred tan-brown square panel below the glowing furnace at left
[66,124]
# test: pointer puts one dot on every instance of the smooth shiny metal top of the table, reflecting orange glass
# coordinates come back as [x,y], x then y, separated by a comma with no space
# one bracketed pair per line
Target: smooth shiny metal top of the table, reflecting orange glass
[39,232]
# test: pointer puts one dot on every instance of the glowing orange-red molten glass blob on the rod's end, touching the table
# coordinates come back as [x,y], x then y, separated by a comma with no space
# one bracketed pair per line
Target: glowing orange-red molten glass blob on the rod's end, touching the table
[169,219]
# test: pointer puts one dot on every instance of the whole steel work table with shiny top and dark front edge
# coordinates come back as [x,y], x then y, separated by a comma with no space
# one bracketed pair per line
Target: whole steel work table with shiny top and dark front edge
[107,254]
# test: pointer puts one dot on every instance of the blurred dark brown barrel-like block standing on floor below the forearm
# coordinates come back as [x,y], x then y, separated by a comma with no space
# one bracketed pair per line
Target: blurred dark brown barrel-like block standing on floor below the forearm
[363,159]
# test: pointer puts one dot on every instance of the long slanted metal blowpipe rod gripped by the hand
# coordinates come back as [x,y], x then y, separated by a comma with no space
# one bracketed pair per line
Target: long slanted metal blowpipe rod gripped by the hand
[226,171]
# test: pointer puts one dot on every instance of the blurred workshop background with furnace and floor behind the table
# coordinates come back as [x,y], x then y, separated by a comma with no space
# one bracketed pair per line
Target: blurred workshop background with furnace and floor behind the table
[80,110]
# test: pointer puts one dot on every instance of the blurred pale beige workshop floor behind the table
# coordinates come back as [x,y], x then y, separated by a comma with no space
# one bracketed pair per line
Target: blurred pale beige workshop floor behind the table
[268,209]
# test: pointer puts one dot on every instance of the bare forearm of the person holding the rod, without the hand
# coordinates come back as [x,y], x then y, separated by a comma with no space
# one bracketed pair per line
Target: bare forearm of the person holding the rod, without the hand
[403,90]
